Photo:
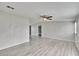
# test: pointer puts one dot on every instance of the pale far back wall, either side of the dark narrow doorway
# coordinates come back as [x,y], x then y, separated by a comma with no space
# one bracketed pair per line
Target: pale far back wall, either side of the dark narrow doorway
[62,30]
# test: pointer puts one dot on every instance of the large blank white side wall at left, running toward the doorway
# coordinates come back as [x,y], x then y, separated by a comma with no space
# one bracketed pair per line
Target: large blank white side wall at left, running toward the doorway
[13,30]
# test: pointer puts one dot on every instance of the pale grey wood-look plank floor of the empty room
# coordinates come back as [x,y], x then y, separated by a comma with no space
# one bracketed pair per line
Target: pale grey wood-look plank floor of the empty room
[42,47]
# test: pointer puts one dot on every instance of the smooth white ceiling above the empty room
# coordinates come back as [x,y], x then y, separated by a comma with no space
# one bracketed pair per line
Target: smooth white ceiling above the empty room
[61,11]
